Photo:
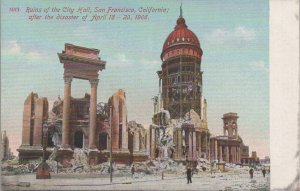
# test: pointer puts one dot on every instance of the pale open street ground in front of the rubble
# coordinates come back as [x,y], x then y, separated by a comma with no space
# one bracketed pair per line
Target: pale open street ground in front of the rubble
[203,181]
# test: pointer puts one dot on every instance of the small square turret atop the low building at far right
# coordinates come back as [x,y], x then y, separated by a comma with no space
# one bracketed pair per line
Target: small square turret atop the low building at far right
[230,127]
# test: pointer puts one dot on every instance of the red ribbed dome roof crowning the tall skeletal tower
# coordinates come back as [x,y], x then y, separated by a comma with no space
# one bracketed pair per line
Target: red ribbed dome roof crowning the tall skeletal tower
[181,36]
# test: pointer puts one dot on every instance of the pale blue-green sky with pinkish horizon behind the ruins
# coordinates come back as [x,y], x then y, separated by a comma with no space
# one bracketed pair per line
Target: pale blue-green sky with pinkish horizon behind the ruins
[234,37]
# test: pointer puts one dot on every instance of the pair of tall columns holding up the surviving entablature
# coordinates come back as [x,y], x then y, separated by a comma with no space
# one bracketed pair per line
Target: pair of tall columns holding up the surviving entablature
[66,113]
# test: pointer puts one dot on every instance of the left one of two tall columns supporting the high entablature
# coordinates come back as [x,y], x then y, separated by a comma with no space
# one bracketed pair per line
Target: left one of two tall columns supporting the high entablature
[66,112]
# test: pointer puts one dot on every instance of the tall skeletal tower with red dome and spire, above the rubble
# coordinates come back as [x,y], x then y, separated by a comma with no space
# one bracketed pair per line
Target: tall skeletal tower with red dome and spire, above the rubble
[180,77]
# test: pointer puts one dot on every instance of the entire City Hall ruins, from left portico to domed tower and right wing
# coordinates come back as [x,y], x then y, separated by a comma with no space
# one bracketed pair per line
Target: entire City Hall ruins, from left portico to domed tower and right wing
[179,129]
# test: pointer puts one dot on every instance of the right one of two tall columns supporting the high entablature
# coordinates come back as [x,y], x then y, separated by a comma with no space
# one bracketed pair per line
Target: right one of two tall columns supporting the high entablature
[93,114]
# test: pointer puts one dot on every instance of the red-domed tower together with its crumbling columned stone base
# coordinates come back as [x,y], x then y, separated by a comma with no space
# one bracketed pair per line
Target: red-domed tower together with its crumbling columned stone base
[180,95]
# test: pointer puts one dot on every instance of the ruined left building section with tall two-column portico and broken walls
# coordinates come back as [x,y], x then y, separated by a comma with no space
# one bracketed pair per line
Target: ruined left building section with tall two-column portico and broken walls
[78,122]
